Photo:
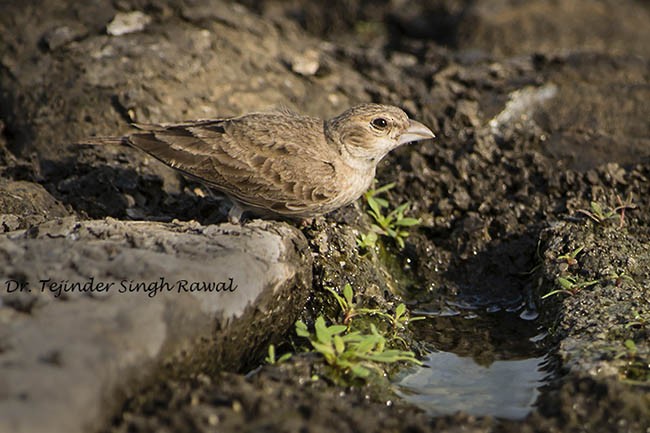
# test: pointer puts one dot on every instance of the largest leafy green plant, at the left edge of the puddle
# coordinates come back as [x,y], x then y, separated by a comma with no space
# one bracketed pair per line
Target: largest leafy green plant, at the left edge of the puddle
[352,353]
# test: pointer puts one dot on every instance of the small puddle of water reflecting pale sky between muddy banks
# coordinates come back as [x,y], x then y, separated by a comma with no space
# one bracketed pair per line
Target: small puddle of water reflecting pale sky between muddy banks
[484,361]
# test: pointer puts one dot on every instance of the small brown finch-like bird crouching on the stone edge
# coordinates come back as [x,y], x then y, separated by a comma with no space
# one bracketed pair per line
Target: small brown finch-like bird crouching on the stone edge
[281,163]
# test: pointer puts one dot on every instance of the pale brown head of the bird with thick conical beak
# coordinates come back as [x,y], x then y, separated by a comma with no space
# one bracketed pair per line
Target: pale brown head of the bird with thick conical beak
[366,133]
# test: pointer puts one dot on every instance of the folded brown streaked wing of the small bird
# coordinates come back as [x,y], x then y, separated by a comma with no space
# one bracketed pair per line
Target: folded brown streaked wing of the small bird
[273,161]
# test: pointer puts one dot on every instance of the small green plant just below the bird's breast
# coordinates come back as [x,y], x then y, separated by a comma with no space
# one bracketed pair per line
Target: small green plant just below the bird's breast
[389,224]
